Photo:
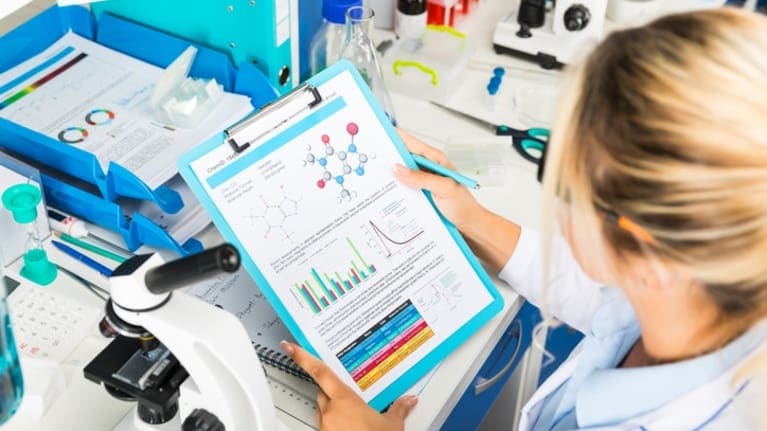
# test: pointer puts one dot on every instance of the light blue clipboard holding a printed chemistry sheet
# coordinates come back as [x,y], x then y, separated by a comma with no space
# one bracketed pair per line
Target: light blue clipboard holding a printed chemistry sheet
[363,271]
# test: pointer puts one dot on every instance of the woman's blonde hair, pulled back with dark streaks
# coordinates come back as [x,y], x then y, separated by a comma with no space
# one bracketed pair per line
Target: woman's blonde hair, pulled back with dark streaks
[665,125]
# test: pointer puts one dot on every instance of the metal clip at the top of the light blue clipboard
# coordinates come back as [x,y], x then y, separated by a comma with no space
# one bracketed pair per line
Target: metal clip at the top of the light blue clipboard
[243,133]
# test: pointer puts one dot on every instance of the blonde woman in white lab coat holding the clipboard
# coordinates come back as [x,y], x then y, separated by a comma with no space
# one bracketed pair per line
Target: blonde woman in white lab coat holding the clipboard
[658,173]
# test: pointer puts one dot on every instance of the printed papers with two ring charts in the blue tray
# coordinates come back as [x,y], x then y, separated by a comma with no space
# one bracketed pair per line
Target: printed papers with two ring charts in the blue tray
[93,98]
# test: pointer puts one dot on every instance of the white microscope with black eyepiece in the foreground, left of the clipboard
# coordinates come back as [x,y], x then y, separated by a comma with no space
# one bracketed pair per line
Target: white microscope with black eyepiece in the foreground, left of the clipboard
[189,365]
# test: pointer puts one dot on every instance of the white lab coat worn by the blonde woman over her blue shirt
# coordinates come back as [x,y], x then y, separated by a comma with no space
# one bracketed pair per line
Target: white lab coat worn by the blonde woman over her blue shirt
[577,299]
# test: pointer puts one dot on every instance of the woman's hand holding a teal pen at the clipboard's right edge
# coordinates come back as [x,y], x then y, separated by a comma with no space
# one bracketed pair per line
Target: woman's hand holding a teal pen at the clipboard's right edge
[455,201]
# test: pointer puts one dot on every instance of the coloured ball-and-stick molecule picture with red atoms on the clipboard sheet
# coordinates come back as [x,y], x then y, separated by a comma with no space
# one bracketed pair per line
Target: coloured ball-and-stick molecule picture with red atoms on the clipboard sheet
[345,159]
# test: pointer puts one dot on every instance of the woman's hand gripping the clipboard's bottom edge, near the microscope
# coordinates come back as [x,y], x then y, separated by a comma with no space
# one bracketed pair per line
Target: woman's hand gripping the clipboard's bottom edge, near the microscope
[340,408]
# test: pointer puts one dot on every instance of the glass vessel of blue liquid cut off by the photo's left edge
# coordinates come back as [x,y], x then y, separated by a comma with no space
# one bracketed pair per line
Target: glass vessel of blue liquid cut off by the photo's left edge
[11,380]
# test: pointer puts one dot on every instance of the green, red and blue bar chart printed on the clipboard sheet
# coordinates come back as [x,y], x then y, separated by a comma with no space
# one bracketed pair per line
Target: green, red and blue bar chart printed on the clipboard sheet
[322,288]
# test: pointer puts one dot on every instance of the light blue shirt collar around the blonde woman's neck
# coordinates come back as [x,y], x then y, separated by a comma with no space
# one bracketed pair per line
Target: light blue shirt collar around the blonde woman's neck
[612,396]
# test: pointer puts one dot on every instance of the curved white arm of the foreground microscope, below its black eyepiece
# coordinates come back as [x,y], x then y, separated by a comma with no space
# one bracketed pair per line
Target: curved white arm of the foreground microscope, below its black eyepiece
[216,351]
